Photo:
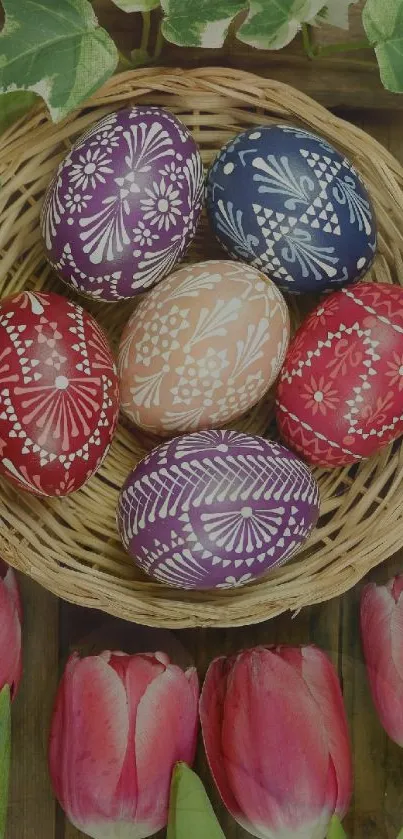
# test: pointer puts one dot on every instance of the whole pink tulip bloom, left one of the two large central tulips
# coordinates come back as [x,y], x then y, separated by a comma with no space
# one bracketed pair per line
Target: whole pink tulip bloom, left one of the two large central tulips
[120,724]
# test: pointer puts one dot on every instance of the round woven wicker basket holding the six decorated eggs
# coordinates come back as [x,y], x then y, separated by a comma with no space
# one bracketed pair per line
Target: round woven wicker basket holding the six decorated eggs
[70,545]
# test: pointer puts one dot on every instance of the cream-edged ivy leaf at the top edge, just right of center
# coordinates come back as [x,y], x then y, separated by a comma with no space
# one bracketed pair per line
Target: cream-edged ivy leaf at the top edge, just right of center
[271,24]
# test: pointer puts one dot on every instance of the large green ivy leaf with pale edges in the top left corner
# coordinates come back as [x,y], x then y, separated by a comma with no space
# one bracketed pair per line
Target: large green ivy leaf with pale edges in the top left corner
[54,48]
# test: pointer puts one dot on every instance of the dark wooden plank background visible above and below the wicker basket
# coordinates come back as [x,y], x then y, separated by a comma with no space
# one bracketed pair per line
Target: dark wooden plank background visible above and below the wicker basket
[351,86]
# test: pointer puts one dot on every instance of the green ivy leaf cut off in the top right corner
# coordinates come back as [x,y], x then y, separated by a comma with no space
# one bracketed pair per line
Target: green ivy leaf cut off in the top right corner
[383,24]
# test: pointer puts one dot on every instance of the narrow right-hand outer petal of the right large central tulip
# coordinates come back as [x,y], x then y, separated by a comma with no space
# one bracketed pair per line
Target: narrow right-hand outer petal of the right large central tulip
[321,680]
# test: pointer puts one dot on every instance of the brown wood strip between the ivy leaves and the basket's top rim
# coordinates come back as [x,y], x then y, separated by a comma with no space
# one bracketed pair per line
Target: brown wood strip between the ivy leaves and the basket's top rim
[341,80]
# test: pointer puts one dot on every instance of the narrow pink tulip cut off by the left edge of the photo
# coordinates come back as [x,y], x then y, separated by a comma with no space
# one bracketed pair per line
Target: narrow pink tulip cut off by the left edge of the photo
[10,630]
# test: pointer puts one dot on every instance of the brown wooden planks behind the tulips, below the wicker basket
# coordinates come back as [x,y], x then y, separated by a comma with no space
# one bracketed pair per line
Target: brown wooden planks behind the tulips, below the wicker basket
[52,629]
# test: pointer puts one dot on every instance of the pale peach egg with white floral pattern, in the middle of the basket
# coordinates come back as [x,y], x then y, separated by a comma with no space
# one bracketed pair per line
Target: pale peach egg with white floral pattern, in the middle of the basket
[202,348]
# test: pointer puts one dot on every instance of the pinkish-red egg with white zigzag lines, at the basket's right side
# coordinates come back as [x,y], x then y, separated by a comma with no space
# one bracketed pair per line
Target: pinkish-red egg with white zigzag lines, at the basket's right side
[340,394]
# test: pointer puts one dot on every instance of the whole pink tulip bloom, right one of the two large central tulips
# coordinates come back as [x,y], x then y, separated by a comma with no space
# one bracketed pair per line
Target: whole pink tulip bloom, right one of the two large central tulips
[276,739]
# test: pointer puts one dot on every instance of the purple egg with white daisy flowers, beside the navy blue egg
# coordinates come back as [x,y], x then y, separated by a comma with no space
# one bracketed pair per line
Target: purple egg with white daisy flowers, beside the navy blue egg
[124,204]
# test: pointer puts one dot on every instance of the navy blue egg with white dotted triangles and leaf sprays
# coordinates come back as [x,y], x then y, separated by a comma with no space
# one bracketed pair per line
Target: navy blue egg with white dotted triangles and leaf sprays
[288,202]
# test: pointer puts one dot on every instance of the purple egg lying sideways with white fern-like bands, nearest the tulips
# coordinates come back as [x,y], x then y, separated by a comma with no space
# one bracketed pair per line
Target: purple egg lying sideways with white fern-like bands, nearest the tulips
[216,509]
